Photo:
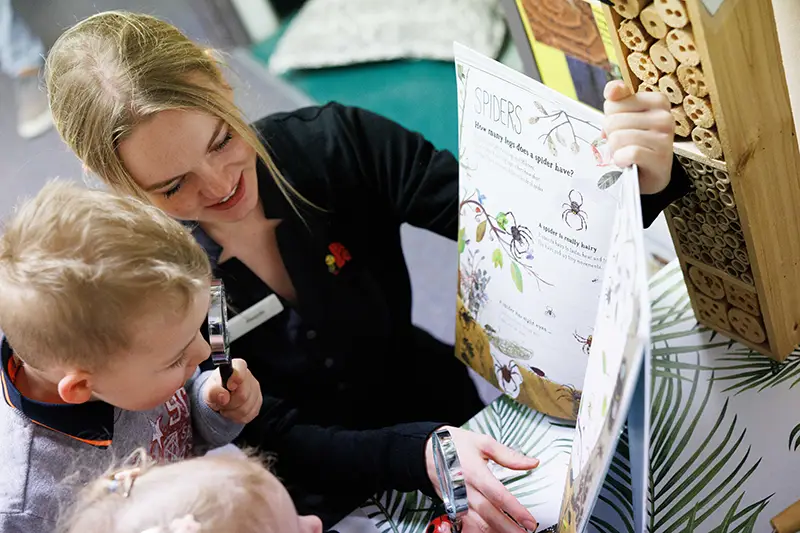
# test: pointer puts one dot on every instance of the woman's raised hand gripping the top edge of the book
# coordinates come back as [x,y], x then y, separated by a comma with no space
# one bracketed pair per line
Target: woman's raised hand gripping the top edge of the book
[640,130]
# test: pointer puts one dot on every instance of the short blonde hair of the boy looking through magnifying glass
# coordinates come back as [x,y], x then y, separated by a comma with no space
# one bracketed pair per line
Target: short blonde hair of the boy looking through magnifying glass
[79,266]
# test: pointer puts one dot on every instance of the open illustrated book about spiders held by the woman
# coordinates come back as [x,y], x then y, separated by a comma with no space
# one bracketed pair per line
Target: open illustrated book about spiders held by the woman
[552,302]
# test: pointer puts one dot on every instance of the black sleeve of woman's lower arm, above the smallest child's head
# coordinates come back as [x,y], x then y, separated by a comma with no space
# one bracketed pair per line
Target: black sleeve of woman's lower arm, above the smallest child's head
[330,458]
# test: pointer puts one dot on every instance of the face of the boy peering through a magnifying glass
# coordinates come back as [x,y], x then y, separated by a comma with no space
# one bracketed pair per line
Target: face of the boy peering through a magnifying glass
[165,351]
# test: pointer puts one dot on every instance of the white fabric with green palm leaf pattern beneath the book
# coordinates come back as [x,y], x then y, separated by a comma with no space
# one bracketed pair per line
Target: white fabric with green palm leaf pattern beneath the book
[725,438]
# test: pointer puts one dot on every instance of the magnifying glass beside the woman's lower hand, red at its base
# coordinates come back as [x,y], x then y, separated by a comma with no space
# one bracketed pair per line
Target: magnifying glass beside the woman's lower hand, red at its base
[451,482]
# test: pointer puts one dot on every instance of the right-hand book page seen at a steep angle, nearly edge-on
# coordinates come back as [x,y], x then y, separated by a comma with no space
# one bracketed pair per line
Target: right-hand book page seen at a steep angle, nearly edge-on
[615,360]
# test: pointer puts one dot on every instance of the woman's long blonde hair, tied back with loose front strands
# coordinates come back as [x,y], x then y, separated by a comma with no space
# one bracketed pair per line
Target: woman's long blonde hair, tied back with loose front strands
[115,69]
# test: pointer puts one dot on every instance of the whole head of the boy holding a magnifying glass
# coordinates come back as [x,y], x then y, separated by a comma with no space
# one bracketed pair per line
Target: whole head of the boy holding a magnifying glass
[102,297]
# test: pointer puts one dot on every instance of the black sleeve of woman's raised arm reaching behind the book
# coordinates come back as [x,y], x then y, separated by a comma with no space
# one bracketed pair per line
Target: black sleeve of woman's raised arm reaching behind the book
[418,183]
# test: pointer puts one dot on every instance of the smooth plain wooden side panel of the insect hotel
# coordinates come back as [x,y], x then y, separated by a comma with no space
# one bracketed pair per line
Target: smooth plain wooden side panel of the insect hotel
[743,64]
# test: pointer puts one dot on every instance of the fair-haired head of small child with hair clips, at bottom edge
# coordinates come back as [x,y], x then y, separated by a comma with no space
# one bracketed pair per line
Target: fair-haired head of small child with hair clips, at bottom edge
[224,493]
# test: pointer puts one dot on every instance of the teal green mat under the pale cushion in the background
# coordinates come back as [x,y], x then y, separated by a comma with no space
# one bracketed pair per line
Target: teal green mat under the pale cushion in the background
[420,95]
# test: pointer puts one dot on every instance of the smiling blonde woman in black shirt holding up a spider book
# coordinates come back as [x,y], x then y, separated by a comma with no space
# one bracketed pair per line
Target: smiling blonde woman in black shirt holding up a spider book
[307,206]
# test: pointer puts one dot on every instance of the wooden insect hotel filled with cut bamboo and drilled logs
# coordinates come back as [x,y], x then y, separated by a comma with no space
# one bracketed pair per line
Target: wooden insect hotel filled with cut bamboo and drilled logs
[737,234]
